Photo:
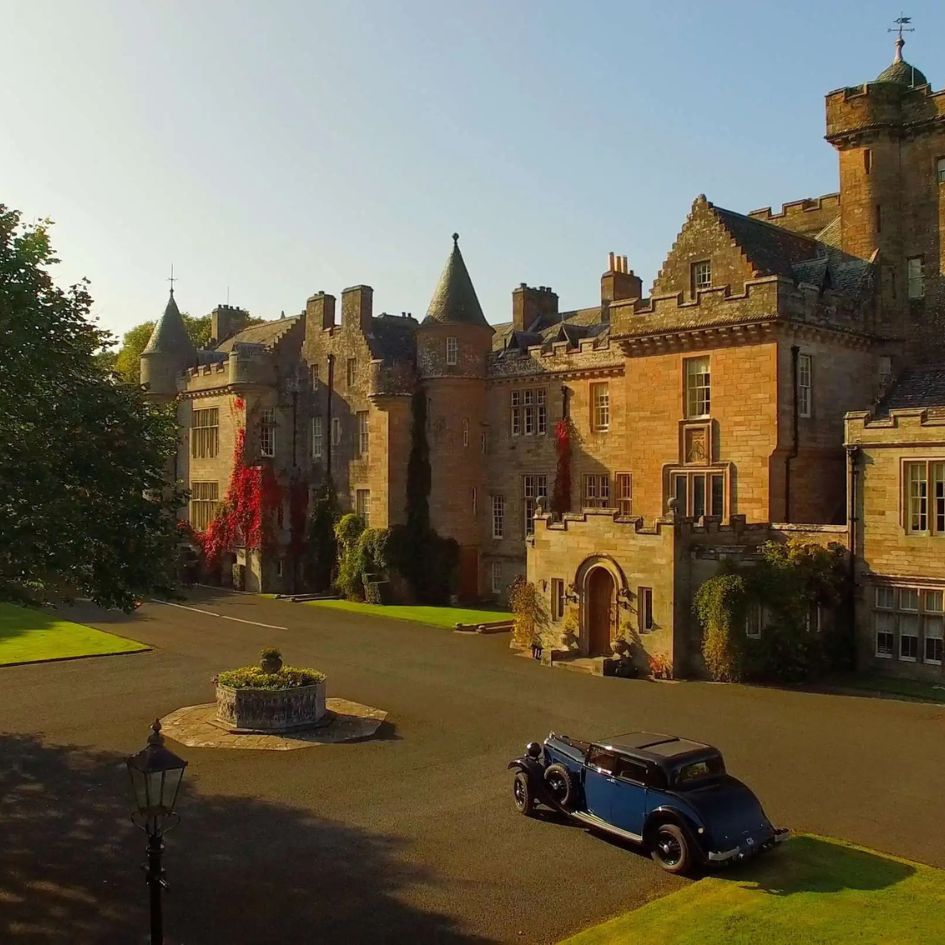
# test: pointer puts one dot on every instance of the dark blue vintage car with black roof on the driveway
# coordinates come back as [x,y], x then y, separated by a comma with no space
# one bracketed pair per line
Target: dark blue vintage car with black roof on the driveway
[670,795]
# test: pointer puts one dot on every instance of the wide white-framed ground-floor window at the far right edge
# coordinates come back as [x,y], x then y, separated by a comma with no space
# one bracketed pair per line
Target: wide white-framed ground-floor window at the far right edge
[916,616]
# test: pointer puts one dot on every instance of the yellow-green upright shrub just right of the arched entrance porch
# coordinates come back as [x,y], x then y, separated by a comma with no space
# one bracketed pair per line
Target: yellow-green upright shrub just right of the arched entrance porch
[720,606]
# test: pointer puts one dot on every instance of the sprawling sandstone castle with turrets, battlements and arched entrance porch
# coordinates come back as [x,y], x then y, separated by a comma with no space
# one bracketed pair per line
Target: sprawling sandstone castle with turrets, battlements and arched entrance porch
[783,376]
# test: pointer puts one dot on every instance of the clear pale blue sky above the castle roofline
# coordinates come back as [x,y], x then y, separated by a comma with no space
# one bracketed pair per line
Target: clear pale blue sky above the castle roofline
[282,147]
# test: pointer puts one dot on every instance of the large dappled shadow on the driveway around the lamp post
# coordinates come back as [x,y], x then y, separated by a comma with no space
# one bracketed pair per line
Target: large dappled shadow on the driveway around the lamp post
[239,869]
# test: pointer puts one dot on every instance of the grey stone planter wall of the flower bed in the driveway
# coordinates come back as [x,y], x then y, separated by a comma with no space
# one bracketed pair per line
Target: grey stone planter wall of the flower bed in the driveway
[271,710]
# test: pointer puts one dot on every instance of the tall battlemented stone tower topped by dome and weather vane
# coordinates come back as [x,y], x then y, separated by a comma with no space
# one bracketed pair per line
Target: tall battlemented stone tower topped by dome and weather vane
[890,138]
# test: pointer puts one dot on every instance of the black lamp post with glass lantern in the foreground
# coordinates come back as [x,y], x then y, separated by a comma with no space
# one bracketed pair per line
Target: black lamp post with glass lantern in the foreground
[156,774]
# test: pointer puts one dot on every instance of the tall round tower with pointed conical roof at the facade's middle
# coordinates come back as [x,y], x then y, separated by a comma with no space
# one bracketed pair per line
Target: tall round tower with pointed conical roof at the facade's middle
[453,342]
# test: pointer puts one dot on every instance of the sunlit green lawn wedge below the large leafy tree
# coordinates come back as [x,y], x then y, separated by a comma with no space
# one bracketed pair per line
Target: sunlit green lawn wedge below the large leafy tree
[27,636]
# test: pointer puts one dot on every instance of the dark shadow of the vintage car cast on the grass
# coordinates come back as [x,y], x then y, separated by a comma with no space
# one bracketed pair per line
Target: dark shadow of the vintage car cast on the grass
[810,864]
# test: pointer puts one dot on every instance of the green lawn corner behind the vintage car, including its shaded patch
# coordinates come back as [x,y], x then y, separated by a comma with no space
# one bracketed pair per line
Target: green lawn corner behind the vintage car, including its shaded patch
[811,891]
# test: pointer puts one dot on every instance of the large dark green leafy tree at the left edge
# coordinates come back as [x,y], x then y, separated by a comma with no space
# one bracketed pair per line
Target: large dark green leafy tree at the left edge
[84,506]
